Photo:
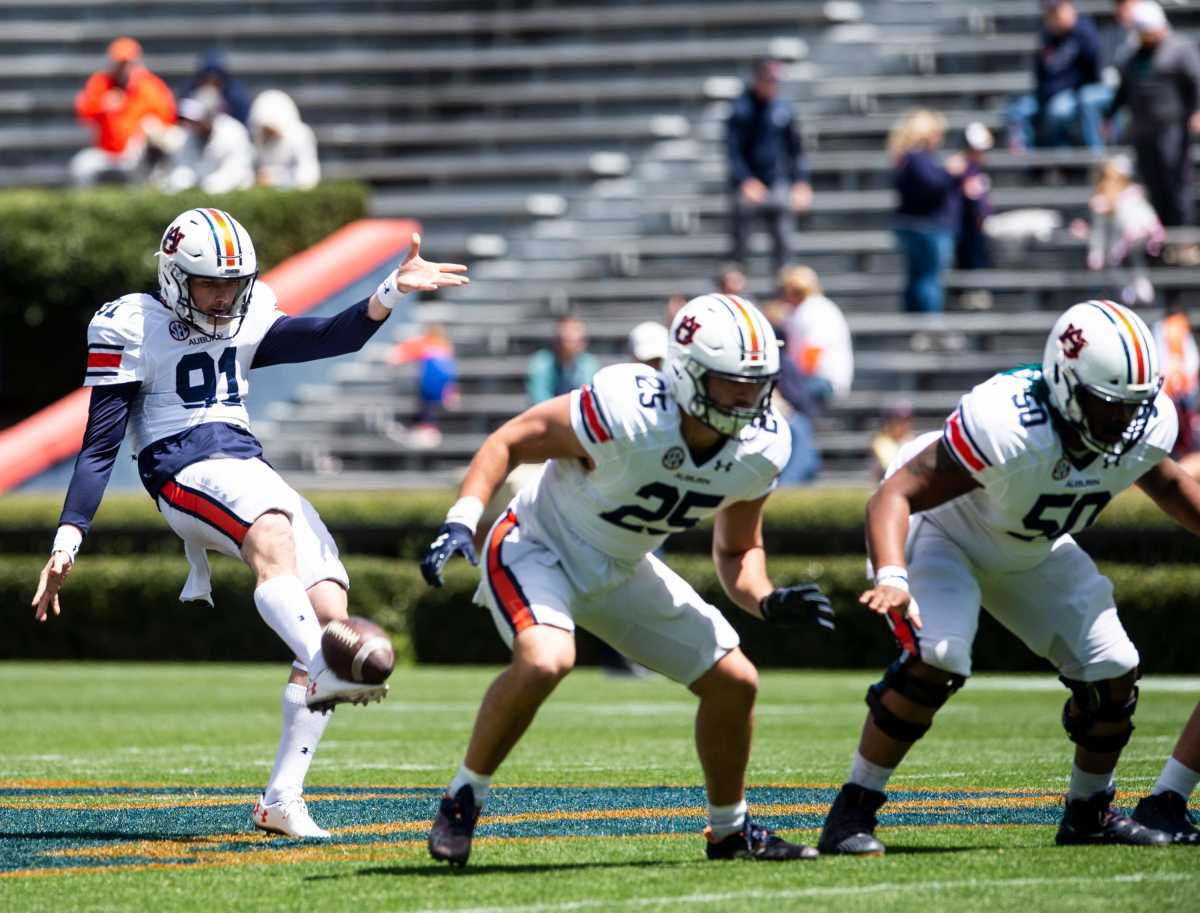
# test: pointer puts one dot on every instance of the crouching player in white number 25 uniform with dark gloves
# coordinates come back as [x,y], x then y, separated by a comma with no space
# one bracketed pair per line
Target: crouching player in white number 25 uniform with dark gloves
[633,458]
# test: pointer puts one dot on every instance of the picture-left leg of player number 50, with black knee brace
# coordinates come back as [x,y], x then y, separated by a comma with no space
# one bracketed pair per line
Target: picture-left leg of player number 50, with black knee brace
[934,664]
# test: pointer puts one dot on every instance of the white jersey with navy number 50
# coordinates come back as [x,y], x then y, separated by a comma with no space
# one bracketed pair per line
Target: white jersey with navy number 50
[1033,495]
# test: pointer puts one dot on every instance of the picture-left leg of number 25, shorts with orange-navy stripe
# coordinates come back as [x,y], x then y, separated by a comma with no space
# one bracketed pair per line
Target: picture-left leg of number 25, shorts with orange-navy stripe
[530,598]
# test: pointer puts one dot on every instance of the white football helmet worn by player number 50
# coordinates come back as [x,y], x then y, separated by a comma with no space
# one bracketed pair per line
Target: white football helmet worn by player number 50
[1101,353]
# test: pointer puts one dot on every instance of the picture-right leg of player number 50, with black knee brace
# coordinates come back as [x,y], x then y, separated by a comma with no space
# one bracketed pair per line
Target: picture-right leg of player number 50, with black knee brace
[1064,610]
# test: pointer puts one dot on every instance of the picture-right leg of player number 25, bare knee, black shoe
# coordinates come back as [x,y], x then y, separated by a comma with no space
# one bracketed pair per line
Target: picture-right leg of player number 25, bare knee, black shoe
[661,622]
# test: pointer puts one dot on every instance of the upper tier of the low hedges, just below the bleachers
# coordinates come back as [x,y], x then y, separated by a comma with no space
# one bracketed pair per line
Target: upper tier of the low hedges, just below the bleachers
[401,524]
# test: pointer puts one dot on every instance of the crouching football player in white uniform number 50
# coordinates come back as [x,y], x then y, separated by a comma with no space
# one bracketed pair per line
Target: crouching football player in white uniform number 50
[982,515]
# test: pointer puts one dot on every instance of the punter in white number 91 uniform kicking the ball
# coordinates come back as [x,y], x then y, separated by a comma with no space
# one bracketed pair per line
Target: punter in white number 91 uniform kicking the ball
[175,368]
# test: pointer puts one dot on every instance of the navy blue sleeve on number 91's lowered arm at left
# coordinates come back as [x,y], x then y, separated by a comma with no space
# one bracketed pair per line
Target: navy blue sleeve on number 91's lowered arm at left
[107,417]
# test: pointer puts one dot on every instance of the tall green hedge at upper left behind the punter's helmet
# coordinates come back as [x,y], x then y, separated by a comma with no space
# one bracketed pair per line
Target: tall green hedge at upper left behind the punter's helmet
[63,254]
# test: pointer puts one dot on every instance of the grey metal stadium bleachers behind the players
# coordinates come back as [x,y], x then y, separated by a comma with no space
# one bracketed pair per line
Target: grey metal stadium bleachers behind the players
[573,154]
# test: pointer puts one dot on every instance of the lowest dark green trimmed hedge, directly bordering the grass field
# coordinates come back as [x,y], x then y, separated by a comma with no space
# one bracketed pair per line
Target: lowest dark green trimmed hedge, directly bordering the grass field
[129,609]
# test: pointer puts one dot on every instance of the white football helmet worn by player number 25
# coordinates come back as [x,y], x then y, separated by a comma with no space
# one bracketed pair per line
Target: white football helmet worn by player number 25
[722,337]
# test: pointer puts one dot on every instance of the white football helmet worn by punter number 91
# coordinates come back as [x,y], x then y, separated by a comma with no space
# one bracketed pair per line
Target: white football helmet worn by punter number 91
[212,244]
